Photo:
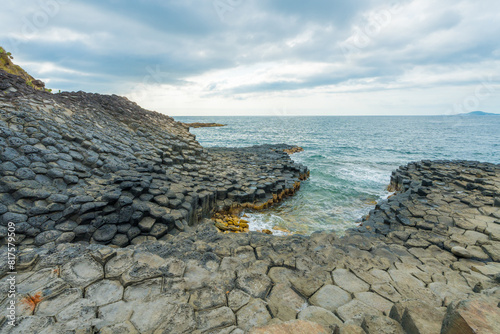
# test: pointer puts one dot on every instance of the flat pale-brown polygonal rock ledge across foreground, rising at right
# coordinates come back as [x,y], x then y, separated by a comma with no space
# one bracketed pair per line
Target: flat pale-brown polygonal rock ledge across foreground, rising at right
[427,260]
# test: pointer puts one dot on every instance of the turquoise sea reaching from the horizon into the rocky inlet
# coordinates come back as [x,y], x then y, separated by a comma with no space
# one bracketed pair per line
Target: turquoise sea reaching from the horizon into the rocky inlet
[351,158]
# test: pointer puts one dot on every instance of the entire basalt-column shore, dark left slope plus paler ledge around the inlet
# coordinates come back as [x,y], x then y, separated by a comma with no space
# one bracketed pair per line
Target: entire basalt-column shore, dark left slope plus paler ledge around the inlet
[111,205]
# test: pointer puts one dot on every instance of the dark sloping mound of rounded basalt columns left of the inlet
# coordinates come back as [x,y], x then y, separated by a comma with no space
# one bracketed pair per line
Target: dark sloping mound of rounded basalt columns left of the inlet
[80,167]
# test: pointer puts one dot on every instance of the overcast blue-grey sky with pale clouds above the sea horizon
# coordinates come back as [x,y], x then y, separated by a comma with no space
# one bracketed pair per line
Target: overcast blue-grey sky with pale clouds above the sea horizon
[266,57]
